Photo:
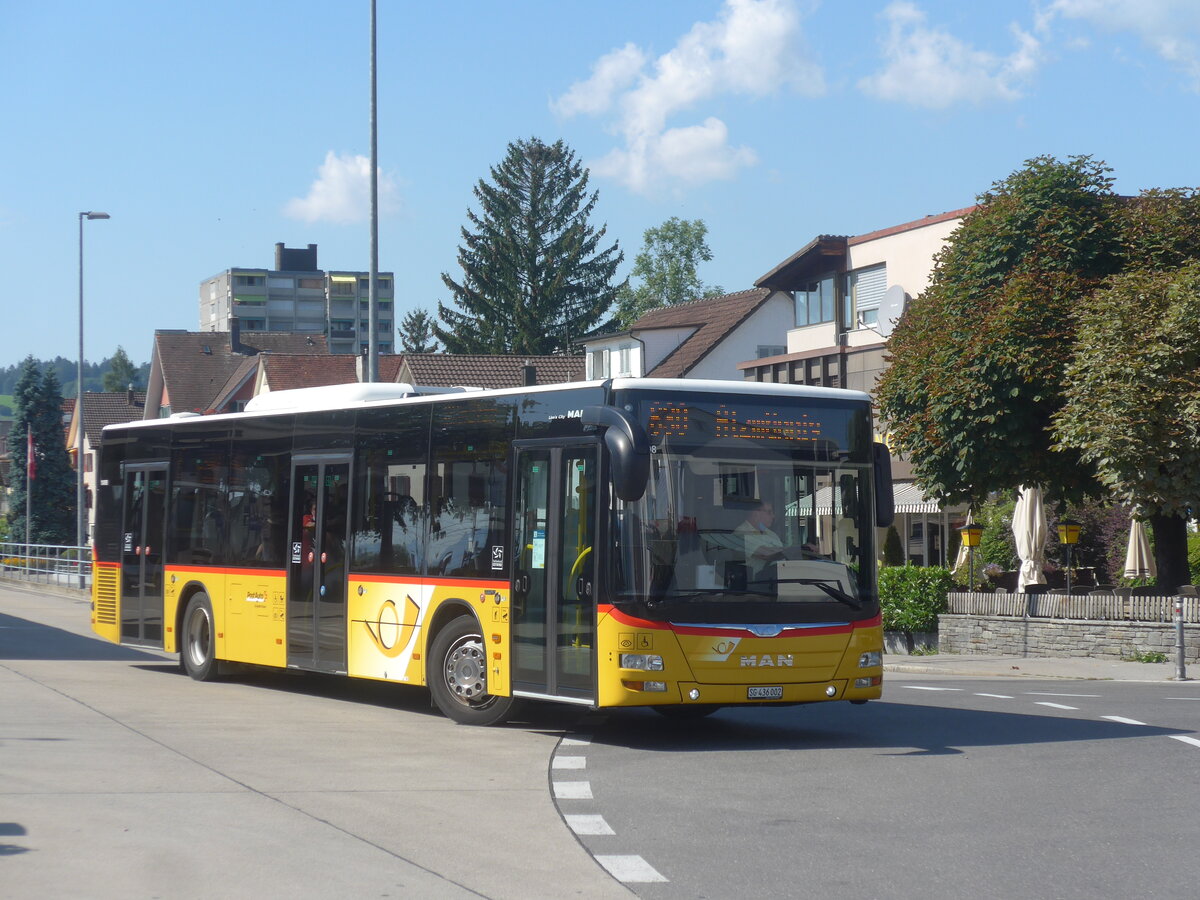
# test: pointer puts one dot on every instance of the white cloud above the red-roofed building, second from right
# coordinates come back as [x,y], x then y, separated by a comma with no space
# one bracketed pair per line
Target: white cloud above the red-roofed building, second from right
[931,68]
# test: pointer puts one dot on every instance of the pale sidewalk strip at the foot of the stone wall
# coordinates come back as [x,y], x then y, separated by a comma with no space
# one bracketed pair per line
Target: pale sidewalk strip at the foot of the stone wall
[1037,668]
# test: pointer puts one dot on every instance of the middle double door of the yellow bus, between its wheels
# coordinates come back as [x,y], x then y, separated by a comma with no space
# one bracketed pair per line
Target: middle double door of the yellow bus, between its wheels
[317,565]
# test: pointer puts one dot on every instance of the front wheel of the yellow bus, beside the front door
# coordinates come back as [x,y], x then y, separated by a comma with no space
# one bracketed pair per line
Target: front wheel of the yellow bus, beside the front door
[458,676]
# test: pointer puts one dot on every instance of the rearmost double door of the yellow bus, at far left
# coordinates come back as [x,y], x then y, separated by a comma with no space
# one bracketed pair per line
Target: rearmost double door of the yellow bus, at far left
[143,521]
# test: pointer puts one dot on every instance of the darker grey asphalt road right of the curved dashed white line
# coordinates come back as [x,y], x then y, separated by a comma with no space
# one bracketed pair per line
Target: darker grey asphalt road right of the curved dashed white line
[949,788]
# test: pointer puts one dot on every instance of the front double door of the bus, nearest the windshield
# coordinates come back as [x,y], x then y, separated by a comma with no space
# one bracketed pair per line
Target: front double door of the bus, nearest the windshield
[554,566]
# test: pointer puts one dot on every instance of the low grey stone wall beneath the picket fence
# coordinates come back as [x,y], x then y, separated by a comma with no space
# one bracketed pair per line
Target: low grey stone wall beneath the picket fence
[1009,637]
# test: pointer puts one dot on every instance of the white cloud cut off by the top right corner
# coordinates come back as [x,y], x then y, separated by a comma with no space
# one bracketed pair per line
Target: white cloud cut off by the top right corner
[1171,28]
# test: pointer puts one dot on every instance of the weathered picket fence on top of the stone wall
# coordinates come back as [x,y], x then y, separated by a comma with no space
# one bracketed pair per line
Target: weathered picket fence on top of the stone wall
[1096,607]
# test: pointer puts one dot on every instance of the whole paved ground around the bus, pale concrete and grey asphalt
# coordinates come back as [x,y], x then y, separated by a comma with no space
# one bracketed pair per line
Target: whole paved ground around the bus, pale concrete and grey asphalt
[121,778]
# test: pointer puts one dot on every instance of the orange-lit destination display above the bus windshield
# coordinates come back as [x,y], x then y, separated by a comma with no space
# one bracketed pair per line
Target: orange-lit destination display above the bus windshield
[727,422]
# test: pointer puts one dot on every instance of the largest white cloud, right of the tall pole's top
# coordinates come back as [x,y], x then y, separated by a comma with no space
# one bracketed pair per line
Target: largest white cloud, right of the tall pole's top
[754,49]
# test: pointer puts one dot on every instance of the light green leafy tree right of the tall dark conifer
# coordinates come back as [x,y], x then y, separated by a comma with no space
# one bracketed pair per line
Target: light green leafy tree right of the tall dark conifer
[667,269]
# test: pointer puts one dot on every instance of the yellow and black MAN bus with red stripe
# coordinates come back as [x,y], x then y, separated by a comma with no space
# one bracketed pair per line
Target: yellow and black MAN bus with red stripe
[682,545]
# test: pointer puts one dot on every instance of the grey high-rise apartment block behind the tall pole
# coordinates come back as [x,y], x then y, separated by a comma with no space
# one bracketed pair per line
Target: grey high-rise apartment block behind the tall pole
[297,297]
